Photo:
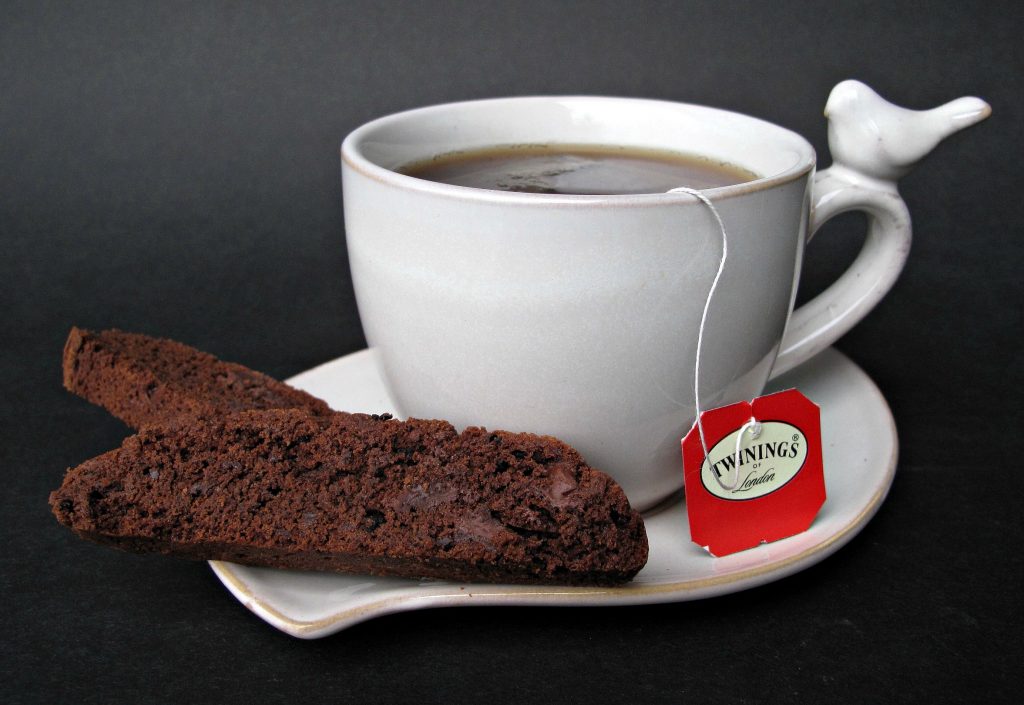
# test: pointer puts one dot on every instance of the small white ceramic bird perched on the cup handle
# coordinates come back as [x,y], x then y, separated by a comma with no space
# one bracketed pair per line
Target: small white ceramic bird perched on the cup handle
[873,137]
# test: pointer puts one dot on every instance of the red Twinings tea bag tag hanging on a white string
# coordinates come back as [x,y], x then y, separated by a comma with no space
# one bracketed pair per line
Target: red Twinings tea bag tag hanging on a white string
[762,477]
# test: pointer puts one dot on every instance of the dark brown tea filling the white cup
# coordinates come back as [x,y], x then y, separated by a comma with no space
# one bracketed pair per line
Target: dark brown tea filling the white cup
[577,170]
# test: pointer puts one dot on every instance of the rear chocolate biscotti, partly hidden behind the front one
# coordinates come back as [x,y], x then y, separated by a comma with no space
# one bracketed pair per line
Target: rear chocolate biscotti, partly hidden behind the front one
[145,381]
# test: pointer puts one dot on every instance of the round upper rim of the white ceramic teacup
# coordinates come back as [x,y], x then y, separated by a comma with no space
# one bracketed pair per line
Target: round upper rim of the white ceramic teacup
[353,157]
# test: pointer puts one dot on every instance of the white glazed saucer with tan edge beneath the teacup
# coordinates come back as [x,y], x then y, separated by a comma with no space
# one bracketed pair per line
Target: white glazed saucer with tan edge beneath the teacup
[861,448]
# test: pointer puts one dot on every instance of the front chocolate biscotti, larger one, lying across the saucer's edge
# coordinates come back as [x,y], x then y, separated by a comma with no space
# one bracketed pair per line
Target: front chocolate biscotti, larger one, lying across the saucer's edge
[359,494]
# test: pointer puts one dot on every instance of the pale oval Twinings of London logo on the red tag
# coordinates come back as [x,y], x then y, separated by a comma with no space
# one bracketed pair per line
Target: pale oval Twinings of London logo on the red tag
[765,464]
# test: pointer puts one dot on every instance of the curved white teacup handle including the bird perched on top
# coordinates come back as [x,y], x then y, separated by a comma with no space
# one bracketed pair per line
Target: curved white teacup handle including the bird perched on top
[873,143]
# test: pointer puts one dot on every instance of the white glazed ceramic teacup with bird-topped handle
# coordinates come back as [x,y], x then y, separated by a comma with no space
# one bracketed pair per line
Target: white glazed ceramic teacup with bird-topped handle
[578,316]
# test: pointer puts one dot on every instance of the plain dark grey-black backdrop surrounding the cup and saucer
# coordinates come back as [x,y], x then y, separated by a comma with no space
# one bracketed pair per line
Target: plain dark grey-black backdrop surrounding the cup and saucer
[173,169]
